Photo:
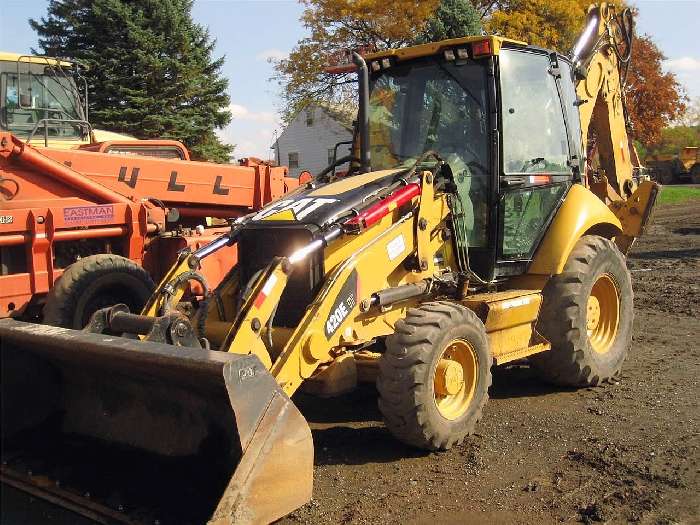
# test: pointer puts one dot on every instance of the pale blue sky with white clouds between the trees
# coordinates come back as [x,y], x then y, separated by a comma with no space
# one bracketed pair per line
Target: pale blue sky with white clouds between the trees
[249,32]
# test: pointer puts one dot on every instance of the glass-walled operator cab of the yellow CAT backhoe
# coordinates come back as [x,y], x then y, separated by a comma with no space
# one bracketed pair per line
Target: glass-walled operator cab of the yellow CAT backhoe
[503,117]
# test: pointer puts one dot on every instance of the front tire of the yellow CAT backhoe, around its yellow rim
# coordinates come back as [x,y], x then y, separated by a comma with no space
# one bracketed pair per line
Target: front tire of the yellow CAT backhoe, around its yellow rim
[406,381]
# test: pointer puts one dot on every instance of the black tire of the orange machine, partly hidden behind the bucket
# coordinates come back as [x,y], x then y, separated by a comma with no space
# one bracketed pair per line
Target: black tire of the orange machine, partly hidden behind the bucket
[92,283]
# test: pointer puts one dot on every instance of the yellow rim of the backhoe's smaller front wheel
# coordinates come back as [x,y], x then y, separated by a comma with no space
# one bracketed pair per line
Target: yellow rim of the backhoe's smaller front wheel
[455,377]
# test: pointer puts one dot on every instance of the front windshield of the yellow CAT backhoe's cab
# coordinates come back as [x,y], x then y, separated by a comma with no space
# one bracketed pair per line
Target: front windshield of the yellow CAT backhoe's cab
[430,105]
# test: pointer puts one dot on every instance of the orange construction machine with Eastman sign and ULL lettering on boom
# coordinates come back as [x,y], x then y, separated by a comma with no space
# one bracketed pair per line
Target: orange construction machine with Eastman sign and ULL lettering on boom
[112,207]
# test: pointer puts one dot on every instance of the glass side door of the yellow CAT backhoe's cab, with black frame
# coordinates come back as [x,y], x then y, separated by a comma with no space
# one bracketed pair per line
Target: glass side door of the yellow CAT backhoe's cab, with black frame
[540,151]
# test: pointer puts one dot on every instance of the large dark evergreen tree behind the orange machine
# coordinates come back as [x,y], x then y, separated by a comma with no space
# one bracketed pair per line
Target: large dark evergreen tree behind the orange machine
[150,73]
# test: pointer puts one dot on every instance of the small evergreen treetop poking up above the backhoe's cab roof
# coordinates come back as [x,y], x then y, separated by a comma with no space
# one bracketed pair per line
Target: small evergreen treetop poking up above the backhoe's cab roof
[452,19]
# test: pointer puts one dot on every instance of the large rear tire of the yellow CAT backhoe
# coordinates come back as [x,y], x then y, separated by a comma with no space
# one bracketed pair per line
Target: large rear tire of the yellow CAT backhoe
[564,318]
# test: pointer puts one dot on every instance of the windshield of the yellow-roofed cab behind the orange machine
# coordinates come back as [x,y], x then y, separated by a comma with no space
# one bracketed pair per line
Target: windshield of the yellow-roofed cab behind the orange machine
[28,98]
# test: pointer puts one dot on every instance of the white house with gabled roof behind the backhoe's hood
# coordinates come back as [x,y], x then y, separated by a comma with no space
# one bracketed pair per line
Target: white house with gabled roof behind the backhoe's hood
[307,143]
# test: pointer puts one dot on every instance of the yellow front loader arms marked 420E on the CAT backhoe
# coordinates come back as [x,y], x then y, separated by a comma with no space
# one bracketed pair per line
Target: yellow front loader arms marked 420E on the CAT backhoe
[341,314]
